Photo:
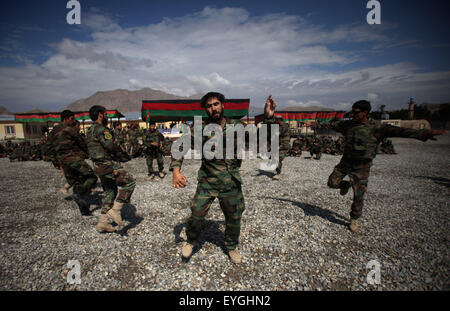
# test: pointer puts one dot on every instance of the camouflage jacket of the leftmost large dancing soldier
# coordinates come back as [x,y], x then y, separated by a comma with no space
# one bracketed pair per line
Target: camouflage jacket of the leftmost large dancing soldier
[69,146]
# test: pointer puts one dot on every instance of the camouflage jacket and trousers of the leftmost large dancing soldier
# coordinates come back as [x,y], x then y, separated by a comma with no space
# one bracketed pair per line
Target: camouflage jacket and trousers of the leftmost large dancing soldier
[70,150]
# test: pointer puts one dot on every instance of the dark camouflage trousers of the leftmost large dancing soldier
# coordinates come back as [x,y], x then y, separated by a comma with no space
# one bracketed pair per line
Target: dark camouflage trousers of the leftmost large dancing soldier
[80,176]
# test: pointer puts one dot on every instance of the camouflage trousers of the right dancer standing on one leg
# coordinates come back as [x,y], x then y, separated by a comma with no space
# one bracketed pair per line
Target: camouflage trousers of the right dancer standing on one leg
[358,172]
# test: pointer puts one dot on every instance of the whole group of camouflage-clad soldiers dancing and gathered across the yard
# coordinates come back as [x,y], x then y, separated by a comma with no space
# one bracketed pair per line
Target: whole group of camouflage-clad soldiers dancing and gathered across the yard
[219,177]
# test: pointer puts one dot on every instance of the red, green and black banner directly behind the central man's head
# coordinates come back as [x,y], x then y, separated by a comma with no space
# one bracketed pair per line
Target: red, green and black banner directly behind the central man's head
[184,109]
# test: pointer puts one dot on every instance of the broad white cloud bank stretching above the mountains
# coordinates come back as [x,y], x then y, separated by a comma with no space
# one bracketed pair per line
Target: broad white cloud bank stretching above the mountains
[227,50]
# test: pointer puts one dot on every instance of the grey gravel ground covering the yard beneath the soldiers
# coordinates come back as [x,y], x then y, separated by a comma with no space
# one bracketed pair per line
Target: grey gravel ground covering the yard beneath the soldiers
[293,237]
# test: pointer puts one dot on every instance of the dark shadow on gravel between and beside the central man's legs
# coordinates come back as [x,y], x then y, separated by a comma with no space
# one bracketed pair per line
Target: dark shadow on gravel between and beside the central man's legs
[211,233]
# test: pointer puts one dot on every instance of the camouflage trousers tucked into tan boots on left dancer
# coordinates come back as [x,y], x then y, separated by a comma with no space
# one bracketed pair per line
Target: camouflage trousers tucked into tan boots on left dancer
[117,183]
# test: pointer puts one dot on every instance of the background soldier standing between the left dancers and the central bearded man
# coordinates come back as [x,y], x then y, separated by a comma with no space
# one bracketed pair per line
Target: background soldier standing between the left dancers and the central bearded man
[153,150]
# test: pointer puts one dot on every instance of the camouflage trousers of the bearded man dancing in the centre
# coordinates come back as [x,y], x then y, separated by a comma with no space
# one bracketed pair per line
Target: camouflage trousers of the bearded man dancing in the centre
[232,205]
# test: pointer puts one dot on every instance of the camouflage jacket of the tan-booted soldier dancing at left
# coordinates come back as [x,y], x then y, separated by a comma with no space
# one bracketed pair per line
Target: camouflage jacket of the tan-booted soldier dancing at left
[101,145]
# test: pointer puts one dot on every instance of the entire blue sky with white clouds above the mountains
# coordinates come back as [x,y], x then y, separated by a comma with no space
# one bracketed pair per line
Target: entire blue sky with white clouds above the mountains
[303,52]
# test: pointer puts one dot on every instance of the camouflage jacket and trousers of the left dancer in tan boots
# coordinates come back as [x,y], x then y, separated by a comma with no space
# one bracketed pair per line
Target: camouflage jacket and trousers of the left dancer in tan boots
[104,153]
